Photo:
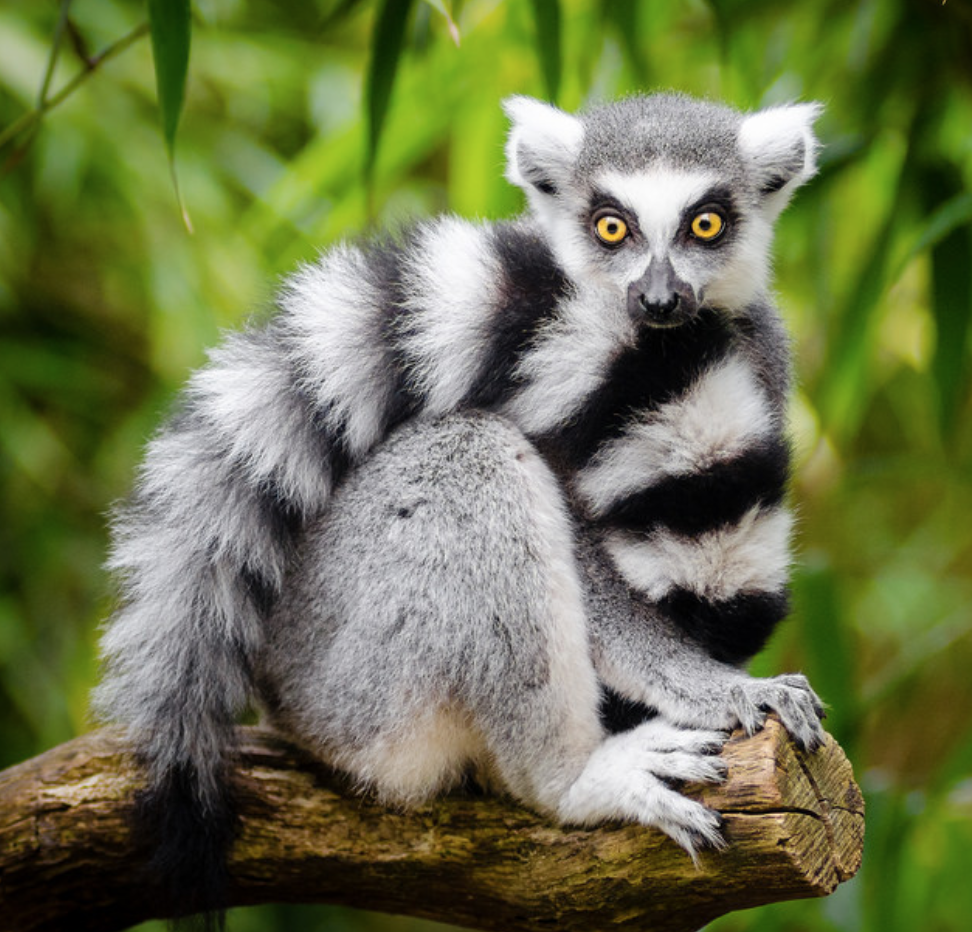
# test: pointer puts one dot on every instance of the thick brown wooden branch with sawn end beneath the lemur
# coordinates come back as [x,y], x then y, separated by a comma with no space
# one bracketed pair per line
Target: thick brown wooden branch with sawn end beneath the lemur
[794,823]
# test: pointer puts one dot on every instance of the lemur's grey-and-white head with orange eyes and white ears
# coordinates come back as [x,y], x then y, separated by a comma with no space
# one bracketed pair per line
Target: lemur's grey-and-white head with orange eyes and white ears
[668,200]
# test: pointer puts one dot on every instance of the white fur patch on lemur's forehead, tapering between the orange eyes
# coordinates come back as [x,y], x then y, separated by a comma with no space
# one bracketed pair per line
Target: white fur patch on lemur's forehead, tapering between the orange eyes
[658,197]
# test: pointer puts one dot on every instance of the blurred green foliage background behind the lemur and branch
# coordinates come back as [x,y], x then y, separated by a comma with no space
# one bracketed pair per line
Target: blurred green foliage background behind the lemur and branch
[305,122]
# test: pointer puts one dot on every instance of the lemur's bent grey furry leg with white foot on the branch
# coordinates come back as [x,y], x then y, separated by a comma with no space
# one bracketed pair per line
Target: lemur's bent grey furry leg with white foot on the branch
[436,623]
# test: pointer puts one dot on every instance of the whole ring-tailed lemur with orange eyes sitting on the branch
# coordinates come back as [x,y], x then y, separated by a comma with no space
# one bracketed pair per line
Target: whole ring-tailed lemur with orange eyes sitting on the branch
[482,495]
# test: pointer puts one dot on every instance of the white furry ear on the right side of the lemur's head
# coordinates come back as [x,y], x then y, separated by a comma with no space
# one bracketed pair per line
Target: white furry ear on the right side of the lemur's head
[782,149]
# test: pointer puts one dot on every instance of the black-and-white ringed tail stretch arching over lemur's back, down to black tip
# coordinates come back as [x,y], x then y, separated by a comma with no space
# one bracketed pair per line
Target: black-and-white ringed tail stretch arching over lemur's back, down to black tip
[264,432]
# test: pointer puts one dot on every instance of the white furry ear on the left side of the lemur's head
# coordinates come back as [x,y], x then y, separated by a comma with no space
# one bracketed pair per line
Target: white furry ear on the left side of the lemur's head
[542,145]
